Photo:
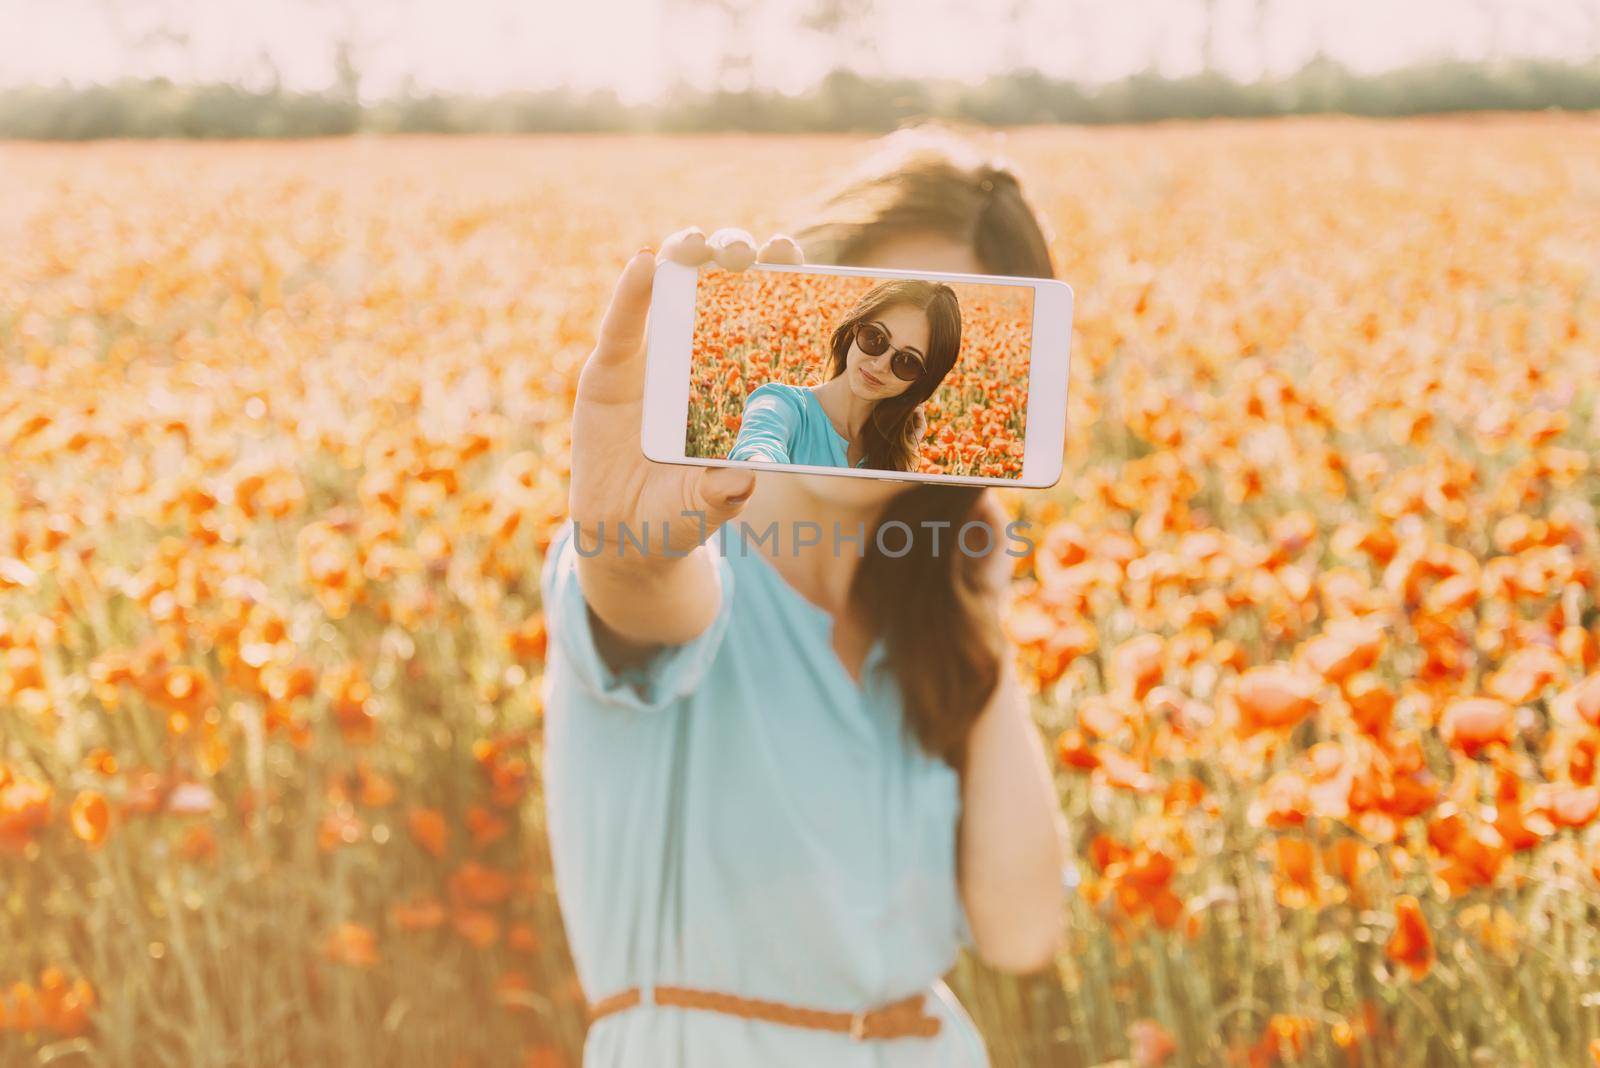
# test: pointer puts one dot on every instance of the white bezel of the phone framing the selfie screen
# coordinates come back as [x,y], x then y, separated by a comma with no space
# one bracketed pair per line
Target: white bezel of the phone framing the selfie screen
[670,348]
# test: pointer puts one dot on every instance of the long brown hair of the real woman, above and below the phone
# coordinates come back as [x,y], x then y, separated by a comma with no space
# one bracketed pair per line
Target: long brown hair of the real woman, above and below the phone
[932,607]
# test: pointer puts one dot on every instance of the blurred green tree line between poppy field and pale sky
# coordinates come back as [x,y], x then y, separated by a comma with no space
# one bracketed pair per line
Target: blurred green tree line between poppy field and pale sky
[842,102]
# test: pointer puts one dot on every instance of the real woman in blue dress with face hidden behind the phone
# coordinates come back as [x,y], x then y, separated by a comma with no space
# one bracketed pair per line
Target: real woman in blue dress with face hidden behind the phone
[785,791]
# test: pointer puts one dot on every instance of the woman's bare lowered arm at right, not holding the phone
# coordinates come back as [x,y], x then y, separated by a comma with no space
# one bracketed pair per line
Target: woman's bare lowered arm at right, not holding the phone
[1014,839]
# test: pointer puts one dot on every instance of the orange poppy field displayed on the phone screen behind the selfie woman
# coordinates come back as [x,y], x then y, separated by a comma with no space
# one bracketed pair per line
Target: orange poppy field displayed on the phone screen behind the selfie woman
[767,327]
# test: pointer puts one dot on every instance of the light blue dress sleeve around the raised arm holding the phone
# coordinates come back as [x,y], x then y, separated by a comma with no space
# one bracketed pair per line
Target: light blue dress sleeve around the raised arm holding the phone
[666,675]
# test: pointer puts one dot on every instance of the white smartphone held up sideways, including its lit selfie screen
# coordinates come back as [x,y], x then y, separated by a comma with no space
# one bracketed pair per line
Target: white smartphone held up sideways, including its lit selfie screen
[862,373]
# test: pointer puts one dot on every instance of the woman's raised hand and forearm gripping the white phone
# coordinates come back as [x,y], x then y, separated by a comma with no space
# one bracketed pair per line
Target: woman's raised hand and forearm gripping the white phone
[660,596]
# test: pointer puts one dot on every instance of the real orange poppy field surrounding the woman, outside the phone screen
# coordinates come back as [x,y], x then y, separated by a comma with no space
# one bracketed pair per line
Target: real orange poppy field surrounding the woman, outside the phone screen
[1311,626]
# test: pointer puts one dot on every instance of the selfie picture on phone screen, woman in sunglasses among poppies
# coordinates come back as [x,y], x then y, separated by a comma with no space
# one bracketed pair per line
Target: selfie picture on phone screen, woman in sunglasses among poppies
[866,373]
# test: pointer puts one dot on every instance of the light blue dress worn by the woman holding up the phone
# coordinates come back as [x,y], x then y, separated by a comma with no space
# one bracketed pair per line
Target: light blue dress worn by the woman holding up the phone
[738,815]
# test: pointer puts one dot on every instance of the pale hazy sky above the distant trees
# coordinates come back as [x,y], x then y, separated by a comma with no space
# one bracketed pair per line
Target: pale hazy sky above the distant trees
[641,47]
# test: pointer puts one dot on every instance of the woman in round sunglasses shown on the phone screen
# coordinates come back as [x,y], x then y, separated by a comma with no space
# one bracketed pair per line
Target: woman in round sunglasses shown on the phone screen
[889,356]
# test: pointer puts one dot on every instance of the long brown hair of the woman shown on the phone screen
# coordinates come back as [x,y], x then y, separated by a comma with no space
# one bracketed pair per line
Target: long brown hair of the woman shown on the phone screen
[892,432]
